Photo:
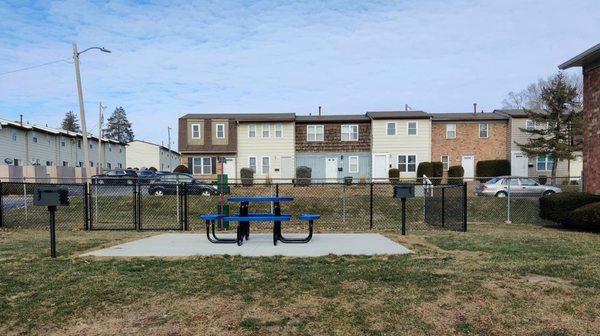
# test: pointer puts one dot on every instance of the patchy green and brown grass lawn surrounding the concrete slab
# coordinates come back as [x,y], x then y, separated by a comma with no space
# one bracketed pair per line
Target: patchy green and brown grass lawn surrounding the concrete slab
[497,279]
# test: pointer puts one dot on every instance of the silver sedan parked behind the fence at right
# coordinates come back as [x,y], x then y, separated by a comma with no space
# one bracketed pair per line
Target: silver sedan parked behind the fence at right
[499,187]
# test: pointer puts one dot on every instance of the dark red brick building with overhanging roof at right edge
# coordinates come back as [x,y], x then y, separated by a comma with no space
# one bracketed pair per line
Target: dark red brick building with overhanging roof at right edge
[589,60]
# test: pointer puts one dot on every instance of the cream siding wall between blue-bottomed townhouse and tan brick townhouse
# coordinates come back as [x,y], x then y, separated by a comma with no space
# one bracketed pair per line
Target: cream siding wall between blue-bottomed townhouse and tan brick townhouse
[401,143]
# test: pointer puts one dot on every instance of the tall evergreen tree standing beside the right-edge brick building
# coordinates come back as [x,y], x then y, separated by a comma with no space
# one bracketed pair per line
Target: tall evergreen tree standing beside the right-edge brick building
[557,126]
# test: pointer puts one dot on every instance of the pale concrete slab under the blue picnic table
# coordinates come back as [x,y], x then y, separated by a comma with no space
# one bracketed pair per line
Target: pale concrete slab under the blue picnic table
[259,245]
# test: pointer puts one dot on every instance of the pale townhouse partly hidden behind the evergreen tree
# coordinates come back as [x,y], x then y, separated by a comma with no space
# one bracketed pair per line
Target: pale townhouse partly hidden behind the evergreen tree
[520,163]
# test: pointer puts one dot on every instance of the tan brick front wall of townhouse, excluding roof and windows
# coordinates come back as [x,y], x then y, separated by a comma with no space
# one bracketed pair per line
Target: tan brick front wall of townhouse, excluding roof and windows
[467,142]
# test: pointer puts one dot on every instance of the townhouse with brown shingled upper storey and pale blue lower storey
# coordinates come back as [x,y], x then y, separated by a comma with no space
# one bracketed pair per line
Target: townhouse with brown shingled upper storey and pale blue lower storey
[334,146]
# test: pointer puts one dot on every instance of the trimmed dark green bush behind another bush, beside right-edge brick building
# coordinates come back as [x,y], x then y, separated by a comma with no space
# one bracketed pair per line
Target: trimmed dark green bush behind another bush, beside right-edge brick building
[557,207]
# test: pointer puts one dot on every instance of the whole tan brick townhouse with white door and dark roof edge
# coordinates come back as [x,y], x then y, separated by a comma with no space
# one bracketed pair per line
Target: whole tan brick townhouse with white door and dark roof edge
[463,139]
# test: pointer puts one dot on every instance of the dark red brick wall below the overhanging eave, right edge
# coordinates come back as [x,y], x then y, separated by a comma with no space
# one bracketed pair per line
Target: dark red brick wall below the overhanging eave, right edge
[591,131]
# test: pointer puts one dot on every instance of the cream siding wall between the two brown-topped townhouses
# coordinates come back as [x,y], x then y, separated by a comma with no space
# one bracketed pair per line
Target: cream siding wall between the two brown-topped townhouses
[272,147]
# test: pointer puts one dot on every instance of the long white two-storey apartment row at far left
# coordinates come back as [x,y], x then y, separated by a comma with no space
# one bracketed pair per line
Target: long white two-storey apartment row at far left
[23,144]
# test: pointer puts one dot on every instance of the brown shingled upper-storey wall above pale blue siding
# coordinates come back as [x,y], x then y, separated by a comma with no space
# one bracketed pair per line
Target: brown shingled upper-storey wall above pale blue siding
[332,139]
